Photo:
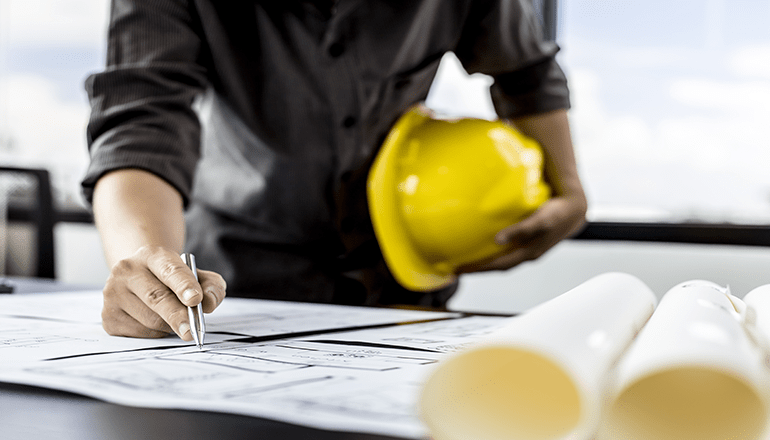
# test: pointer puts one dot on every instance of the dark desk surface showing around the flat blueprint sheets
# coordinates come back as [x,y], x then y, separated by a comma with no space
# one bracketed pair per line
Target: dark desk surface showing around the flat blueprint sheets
[32,413]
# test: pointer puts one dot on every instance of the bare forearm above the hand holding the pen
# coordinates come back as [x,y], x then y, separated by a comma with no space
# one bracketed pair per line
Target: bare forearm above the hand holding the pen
[134,208]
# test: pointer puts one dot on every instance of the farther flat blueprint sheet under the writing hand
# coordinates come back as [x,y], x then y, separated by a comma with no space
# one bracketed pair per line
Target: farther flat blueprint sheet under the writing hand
[35,327]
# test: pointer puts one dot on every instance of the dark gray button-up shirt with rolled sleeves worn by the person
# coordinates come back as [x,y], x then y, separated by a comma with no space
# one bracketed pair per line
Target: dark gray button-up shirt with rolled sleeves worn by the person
[266,115]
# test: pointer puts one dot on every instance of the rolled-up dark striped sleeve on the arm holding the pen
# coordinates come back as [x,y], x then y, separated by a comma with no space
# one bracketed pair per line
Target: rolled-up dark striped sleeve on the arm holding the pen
[141,105]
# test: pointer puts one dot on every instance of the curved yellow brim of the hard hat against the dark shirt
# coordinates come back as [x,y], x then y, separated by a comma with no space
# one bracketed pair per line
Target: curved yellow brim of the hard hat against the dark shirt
[406,264]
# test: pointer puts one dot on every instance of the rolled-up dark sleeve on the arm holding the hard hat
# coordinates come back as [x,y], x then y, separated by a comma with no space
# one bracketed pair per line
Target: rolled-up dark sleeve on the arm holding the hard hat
[504,39]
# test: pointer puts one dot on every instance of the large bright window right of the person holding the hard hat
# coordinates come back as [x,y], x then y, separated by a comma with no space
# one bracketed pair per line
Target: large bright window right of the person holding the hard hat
[671,107]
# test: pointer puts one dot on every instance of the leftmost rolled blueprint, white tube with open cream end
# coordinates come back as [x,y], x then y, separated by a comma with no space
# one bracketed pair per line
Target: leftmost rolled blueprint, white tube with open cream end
[542,376]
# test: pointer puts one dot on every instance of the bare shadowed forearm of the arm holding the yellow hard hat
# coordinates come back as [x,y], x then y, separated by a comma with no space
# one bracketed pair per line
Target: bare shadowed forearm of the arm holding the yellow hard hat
[552,131]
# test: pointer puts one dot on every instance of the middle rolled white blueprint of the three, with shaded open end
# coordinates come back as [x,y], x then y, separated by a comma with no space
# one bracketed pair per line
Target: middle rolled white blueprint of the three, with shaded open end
[693,373]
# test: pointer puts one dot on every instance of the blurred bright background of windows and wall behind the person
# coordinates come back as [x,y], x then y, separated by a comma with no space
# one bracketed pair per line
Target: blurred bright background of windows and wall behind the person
[671,103]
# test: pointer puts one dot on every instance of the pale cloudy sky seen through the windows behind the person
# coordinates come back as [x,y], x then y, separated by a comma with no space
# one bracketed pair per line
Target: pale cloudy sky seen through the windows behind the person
[670,100]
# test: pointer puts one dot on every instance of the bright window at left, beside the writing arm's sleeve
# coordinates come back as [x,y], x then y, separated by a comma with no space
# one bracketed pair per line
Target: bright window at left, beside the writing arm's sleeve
[47,49]
